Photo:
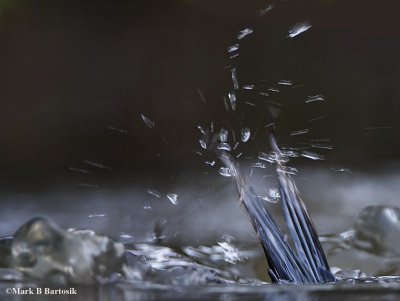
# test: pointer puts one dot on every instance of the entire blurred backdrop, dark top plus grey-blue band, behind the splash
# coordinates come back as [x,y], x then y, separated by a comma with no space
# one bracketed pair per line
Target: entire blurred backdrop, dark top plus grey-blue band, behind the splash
[75,77]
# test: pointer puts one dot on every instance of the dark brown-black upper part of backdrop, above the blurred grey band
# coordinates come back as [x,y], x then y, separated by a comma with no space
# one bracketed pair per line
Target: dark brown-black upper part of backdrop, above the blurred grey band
[71,69]
